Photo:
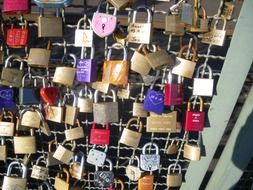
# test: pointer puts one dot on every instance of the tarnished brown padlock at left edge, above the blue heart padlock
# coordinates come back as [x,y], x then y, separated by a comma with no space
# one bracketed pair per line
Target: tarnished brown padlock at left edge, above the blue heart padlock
[12,76]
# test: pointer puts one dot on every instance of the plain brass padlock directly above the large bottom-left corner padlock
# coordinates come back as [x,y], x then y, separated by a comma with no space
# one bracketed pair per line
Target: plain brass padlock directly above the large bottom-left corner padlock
[25,144]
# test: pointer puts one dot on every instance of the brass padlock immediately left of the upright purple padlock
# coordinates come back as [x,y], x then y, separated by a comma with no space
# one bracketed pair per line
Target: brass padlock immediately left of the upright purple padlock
[65,75]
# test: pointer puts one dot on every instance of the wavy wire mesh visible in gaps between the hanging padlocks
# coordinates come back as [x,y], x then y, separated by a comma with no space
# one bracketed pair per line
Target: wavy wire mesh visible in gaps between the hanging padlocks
[118,153]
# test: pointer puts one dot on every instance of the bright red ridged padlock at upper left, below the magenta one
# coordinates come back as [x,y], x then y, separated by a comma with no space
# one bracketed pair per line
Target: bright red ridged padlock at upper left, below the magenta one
[17,37]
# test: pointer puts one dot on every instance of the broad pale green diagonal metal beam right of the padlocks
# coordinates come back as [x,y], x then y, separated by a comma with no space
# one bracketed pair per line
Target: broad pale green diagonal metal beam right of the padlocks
[236,67]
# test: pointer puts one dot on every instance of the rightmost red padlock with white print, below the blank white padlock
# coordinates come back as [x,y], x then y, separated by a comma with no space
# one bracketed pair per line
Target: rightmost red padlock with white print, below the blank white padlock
[194,120]
